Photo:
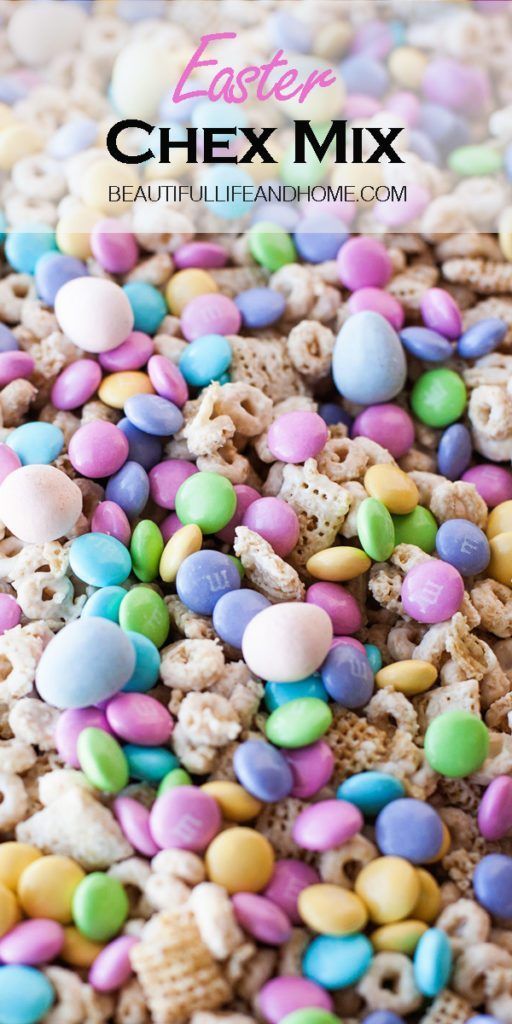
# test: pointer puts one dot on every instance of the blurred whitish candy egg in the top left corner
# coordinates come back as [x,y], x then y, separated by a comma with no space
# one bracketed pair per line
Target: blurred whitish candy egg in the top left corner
[39,32]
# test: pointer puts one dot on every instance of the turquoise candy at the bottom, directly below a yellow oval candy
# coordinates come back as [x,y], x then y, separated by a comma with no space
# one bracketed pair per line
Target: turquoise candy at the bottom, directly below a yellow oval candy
[337,963]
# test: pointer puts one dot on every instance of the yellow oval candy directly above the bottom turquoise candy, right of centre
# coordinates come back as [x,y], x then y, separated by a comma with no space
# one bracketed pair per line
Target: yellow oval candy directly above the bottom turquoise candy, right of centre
[331,910]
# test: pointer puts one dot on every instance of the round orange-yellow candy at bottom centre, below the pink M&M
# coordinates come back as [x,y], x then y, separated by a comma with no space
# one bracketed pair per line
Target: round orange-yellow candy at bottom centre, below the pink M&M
[241,861]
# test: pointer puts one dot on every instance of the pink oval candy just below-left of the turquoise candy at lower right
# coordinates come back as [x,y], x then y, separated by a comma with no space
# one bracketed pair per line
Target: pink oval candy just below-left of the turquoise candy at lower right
[327,825]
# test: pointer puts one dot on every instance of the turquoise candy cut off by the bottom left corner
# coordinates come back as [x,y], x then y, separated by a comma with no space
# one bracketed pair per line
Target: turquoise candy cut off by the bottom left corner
[26,995]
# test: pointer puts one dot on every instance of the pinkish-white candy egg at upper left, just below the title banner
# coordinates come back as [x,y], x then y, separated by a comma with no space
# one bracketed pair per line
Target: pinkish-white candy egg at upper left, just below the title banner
[95,314]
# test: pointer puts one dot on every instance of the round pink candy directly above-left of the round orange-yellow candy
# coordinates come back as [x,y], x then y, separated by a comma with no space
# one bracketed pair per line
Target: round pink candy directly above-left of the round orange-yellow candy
[185,819]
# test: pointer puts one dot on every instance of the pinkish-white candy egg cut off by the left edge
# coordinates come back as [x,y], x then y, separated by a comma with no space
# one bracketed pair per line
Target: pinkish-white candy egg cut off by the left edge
[39,503]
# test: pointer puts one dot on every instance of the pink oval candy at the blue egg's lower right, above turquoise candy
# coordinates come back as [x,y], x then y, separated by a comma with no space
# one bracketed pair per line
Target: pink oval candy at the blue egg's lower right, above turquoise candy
[140,719]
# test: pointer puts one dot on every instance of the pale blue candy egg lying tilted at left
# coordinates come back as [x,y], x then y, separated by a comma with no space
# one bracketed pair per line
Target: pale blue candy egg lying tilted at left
[84,664]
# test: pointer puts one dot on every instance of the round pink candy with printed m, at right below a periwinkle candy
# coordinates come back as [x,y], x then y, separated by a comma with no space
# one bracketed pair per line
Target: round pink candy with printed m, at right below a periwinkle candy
[433,592]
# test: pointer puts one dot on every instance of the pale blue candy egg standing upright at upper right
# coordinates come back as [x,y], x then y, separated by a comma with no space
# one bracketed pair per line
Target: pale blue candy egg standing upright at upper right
[369,362]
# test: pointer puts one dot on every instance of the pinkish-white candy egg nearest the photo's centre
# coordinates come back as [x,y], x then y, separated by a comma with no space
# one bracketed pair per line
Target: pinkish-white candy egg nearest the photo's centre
[287,643]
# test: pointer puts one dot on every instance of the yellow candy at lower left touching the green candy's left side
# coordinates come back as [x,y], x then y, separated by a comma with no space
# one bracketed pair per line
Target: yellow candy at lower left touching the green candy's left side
[47,888]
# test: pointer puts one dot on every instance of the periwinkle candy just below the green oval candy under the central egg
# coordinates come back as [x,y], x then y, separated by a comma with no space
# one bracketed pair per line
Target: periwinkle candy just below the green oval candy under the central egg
[263,771]
